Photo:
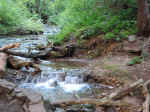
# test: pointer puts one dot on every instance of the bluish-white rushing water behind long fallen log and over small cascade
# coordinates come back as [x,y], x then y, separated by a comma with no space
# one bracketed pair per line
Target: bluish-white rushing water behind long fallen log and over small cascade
[58,80]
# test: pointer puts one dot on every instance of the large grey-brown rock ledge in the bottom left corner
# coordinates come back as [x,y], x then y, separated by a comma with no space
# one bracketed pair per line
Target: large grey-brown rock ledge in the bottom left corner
[19,100]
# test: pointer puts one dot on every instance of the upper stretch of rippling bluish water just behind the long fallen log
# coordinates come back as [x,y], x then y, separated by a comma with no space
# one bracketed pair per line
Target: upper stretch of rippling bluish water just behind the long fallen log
[27,43]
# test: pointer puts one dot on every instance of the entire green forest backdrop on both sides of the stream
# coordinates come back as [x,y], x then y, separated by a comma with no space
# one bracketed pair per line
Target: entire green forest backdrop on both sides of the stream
[116,19]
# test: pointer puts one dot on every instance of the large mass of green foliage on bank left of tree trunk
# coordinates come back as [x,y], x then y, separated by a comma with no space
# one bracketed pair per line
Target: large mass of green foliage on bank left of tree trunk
[84,18]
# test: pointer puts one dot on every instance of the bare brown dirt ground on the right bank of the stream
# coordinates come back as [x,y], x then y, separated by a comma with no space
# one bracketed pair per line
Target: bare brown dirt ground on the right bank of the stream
[113,68]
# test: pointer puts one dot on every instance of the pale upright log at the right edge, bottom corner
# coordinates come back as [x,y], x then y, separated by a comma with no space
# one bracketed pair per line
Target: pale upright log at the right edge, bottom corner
[146,104]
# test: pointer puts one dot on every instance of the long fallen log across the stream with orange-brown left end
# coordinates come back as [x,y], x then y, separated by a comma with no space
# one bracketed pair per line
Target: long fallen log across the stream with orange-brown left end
[53,52]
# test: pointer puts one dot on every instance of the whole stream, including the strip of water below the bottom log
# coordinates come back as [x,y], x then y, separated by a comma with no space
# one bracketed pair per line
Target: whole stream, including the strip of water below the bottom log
[59,80]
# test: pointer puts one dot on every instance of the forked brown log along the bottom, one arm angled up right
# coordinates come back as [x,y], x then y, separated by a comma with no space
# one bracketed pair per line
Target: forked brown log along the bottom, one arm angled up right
[106,101]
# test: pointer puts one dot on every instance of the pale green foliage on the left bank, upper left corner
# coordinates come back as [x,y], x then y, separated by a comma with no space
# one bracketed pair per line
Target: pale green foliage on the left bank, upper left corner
[15,17]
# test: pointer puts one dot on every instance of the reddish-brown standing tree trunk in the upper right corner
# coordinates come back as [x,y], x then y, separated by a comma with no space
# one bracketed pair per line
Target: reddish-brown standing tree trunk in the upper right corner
[143,18]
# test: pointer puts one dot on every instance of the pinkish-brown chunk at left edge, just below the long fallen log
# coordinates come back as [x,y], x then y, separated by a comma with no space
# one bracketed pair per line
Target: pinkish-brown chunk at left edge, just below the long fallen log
[3,63]
